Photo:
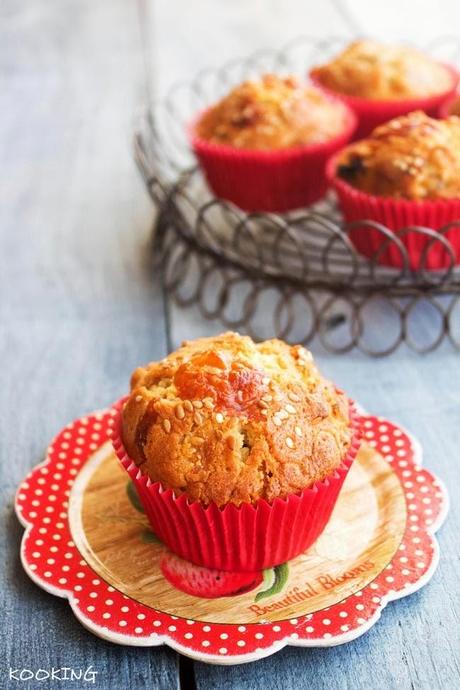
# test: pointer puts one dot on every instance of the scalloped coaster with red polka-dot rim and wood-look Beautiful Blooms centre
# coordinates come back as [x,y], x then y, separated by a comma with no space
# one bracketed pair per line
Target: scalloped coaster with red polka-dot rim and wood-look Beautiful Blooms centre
[87,539]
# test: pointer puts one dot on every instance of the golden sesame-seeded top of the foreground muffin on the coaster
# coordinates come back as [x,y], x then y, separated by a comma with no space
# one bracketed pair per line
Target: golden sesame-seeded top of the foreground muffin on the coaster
[226,420]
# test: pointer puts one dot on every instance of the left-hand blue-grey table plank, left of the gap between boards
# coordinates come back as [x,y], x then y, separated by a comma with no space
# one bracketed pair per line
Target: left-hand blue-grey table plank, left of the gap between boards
[79,308]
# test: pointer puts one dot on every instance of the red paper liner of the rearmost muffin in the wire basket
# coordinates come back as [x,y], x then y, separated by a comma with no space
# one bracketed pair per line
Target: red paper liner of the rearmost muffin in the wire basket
[371,113]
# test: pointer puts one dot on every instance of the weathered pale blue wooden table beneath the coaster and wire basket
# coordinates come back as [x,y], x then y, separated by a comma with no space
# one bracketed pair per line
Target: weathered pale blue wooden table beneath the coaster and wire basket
[81,309]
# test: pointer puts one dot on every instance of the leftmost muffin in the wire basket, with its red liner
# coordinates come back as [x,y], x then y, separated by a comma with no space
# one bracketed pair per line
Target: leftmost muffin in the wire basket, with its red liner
[264,146]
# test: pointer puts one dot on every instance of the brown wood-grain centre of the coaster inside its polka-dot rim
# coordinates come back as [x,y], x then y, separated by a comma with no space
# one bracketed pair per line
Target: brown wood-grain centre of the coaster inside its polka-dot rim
[366,527]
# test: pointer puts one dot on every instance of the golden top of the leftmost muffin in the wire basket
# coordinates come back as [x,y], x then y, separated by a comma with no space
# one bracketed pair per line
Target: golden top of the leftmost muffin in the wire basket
[272,113]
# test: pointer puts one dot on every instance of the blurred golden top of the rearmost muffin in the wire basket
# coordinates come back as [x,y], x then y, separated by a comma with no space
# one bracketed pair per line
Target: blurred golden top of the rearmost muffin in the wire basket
[373,70]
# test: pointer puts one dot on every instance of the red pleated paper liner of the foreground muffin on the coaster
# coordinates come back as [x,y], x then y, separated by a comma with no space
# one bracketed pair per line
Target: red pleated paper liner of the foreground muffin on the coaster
[245,538]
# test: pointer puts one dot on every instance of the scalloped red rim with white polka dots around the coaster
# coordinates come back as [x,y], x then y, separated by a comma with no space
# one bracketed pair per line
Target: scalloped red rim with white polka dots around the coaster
[51,558]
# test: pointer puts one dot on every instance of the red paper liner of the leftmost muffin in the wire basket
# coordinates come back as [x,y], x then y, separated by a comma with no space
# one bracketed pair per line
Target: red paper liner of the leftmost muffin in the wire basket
[270,181]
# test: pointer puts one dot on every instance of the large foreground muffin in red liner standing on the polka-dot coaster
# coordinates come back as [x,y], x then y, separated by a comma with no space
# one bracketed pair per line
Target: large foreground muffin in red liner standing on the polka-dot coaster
[230,441]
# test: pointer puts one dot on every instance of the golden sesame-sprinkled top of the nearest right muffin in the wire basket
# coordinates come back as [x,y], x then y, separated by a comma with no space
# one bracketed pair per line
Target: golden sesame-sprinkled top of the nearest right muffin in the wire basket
[411,157]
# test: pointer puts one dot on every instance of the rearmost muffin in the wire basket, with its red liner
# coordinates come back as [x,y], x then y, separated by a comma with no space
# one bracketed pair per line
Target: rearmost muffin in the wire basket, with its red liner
[380,81]
